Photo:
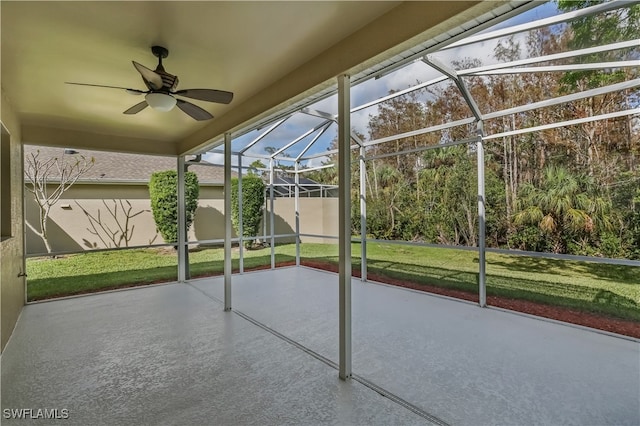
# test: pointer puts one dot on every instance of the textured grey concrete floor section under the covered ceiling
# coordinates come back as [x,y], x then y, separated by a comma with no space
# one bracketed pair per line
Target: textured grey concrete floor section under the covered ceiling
[170,355]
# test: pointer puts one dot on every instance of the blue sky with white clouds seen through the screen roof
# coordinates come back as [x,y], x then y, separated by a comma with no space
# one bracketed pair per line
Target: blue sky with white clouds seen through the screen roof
[371,90]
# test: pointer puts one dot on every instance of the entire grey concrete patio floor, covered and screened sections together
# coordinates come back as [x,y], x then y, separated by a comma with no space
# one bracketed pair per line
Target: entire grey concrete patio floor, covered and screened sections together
[168,354]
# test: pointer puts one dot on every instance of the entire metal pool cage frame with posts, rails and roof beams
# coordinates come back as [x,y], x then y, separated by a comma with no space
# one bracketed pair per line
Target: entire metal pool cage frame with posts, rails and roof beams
[348,142]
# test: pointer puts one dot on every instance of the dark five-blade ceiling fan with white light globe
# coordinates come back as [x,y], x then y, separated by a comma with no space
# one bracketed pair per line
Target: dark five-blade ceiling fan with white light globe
[162,91]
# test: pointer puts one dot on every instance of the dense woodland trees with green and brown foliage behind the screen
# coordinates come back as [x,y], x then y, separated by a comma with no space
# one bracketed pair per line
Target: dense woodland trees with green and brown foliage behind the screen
[573,189]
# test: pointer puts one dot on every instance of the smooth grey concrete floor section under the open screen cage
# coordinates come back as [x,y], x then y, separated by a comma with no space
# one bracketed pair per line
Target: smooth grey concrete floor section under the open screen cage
[461,363]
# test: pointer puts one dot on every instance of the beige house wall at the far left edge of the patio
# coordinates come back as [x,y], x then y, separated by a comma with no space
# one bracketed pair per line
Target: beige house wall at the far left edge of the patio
[12,286]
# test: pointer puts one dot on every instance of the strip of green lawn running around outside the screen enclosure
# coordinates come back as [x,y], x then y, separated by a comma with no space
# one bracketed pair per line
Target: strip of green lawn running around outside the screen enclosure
[612,290]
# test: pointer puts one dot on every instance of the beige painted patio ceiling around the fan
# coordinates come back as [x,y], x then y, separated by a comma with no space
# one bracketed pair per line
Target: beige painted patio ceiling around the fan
[267,53]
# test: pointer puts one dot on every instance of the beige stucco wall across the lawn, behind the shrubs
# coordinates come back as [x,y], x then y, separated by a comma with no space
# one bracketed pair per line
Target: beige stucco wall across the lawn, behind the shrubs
[71,230]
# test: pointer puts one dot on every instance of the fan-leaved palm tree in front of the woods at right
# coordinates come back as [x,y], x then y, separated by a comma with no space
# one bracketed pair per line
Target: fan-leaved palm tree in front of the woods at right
[565,207]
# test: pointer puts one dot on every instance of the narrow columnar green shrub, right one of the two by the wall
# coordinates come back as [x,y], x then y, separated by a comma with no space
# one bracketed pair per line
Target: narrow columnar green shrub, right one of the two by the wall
[252,205]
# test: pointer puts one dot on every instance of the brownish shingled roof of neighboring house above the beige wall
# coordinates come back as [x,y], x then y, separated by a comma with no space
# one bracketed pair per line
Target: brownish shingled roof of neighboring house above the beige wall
[134,168]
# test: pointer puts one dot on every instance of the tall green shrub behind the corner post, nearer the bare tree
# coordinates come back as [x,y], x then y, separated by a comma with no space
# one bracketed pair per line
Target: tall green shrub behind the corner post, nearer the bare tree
[163,191]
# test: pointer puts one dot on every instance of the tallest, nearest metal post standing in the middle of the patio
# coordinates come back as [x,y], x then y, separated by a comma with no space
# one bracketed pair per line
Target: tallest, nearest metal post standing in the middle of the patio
[344,231]
